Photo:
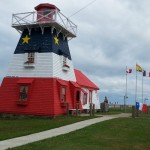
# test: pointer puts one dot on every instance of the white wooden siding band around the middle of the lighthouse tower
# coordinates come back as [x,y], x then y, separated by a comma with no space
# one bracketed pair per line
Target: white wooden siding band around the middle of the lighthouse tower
[46,65]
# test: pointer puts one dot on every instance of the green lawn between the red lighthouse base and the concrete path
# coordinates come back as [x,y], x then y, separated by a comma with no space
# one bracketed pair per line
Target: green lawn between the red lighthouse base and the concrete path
[14,127]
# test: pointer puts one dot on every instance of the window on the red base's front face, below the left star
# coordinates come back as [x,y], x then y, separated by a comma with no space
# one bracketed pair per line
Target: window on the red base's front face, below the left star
[23,93]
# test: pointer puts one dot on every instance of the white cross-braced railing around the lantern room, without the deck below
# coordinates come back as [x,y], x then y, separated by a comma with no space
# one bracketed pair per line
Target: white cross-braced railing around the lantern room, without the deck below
[33,18]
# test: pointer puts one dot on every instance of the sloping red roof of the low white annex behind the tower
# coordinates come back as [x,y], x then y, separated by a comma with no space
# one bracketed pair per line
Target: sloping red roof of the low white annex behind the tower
[84,81]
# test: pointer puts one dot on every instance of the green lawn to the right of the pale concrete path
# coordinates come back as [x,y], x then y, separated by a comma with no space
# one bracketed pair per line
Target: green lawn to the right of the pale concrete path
[116,134]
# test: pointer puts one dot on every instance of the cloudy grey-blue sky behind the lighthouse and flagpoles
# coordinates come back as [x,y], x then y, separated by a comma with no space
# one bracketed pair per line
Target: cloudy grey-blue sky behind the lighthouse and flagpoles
[112,34]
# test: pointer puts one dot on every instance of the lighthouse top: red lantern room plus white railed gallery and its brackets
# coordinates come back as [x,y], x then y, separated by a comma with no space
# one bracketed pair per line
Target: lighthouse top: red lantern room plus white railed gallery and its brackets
[45,16]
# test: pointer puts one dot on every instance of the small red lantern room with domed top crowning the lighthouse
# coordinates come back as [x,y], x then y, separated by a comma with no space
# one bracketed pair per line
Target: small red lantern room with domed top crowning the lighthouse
[46,12]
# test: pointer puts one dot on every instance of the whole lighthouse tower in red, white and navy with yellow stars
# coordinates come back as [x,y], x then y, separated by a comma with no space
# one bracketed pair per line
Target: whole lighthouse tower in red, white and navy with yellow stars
[41,79]
